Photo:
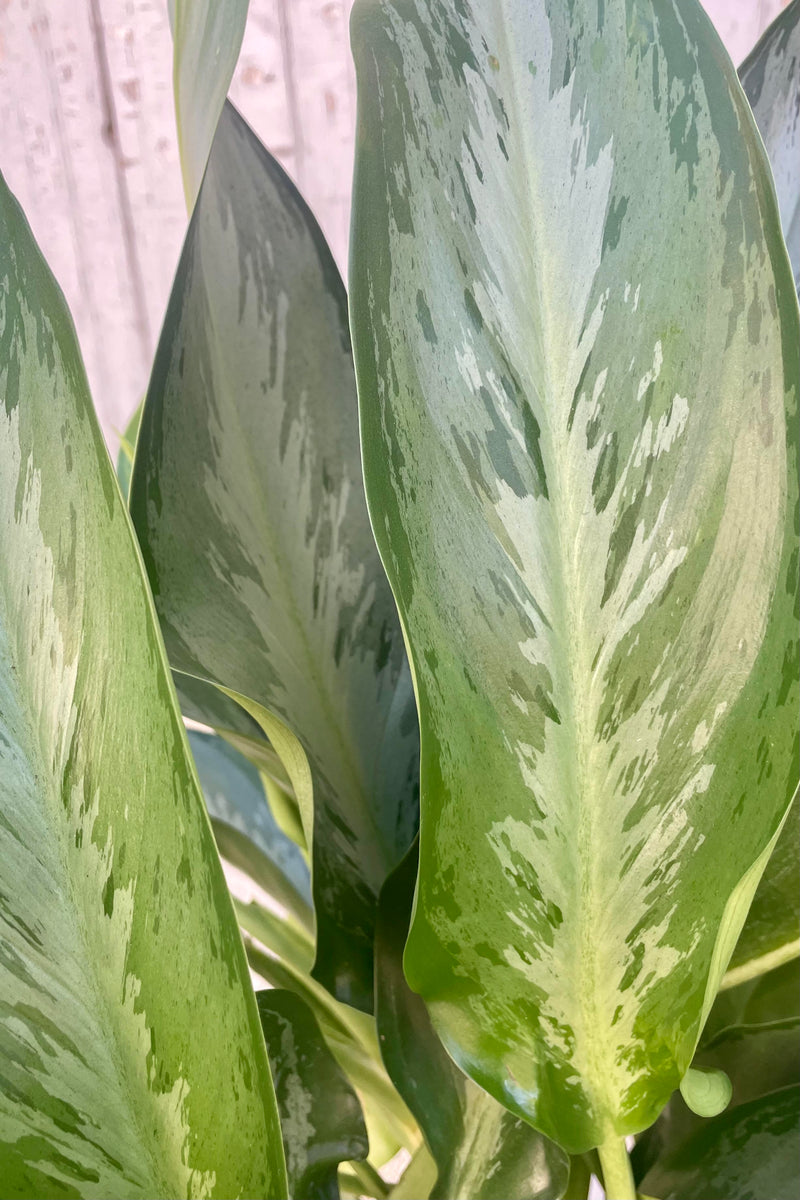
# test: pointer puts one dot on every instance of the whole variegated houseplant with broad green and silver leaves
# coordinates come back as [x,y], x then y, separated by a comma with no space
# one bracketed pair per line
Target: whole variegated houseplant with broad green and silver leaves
[550,305]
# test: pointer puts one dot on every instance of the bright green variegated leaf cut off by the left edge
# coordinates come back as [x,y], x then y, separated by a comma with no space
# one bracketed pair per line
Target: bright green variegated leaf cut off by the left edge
[131,1054]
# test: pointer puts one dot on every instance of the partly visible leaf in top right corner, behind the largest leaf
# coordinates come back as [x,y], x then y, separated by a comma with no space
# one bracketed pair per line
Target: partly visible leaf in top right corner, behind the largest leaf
[771,76]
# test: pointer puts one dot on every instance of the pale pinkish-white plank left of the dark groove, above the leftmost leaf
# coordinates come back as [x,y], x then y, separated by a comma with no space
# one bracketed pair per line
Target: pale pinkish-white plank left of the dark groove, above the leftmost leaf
[59,159]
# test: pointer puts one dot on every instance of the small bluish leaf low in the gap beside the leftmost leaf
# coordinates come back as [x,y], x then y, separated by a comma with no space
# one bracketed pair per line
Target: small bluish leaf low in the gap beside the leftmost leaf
[244,827]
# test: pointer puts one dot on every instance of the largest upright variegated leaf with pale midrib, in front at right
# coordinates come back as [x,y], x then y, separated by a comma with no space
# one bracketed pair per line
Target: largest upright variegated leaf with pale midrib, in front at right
[576,345]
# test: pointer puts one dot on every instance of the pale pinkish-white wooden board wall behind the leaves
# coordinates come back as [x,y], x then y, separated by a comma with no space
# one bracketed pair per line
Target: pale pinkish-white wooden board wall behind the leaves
[88,146]
